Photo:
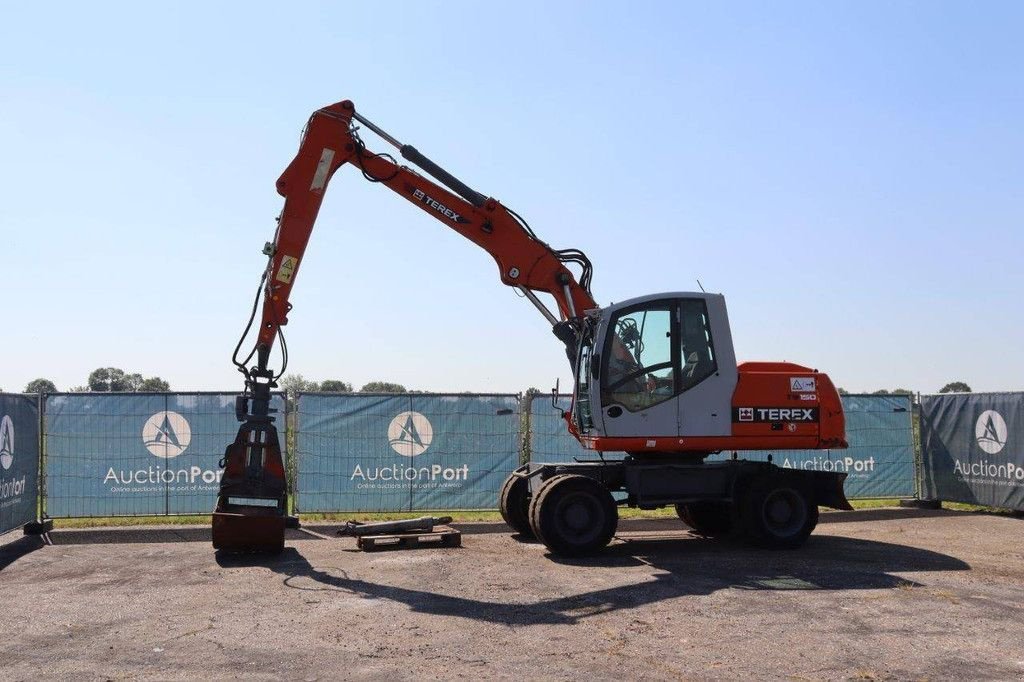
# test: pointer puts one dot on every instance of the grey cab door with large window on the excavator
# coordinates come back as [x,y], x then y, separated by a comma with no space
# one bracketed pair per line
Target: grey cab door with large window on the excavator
[638,370]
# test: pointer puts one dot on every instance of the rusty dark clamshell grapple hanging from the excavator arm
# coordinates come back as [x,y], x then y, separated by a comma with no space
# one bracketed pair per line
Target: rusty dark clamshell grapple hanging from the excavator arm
[252,504]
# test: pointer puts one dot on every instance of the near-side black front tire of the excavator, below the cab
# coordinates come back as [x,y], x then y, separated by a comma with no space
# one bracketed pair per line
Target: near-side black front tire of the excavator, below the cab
[574,516]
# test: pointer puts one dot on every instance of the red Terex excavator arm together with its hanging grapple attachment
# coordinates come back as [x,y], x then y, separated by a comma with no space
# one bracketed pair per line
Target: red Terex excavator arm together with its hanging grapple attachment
[252,504]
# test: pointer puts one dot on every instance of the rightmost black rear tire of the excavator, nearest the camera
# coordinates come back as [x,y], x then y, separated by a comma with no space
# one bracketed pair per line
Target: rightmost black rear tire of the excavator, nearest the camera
[777,513]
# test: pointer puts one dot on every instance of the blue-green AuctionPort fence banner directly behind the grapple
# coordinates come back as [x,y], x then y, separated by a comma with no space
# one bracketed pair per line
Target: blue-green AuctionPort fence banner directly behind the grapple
[138,454]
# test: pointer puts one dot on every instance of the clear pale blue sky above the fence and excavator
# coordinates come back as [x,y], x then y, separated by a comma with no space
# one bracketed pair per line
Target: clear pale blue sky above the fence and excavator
[848,175]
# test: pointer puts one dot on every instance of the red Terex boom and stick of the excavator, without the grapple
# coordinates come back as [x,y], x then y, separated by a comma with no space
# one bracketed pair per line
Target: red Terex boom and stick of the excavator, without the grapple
[332,141]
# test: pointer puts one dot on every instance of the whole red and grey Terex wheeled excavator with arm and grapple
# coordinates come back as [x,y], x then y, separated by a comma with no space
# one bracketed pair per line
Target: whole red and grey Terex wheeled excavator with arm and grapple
[655,378]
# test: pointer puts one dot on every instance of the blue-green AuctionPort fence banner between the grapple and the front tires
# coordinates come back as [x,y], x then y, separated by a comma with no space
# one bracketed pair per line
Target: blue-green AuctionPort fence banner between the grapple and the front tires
[361,452]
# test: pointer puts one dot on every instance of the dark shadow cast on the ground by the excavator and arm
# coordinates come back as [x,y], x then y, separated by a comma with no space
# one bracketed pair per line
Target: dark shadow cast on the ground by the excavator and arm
[682,568]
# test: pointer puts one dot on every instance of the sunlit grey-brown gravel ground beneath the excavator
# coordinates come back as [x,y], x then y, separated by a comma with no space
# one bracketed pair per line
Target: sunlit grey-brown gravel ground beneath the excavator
[876,594]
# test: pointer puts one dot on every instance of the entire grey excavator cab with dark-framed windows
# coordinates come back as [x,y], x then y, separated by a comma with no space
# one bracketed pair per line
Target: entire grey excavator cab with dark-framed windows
[659,366]
